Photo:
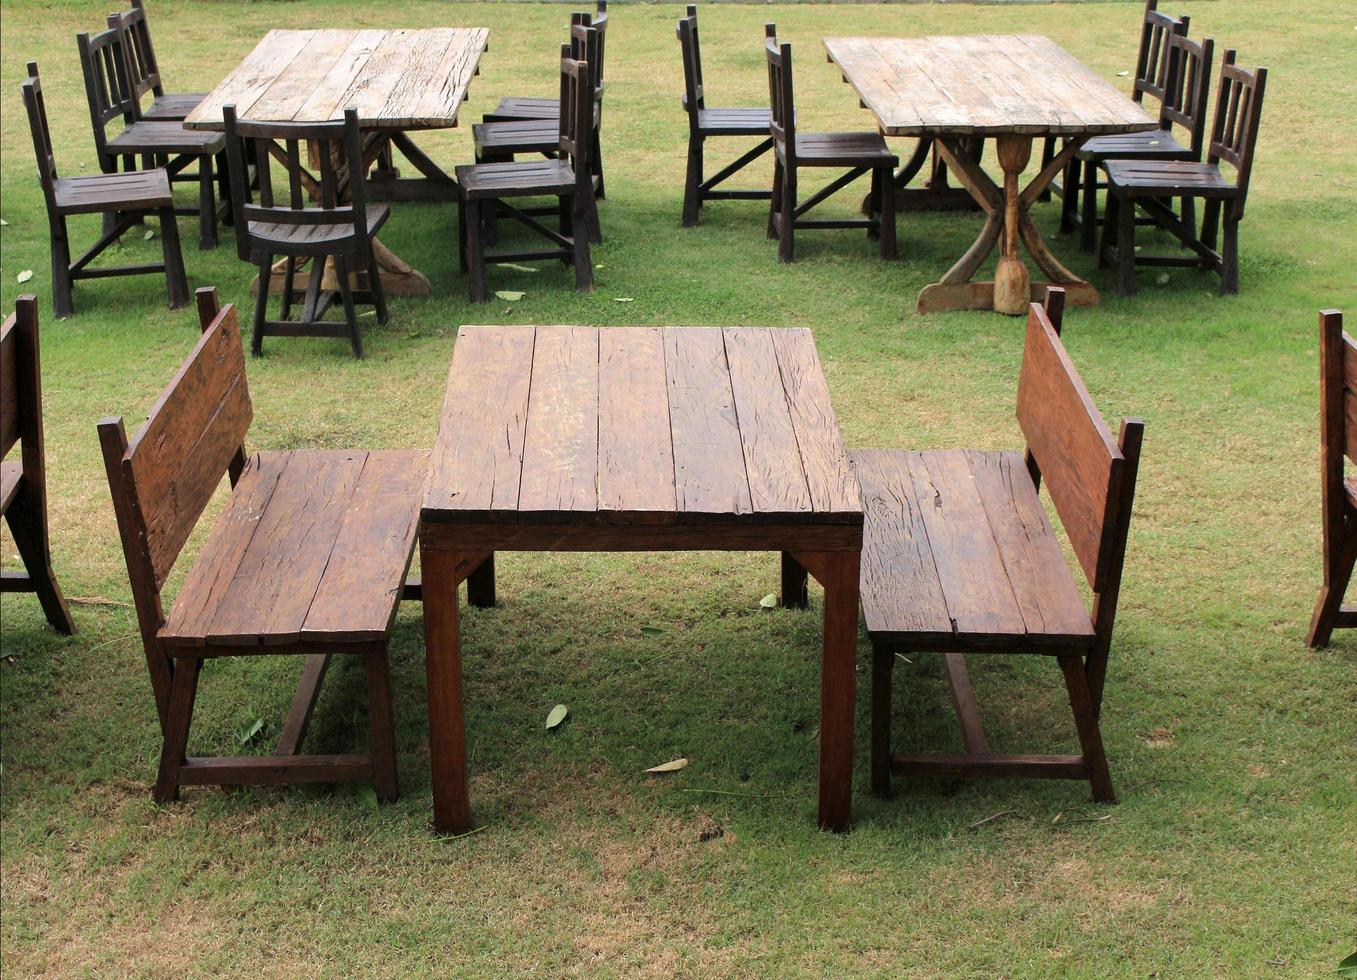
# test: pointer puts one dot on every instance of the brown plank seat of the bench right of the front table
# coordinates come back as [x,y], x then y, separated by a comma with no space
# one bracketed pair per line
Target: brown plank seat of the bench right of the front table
[959,553]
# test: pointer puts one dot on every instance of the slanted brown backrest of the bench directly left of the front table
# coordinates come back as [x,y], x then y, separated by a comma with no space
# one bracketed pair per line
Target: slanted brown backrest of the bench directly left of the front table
[193,438]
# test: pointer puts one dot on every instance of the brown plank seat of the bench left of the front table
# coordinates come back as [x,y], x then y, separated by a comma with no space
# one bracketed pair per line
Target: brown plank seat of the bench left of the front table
[313,546]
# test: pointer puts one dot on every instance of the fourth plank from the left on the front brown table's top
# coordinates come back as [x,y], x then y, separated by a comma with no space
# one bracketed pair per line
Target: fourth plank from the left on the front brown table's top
[710,478]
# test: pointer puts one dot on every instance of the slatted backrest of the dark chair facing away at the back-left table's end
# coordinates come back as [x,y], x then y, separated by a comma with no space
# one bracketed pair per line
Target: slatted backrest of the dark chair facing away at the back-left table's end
[324,189]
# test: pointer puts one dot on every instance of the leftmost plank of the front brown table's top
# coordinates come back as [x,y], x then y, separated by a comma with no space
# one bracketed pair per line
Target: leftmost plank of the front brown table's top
[478,455]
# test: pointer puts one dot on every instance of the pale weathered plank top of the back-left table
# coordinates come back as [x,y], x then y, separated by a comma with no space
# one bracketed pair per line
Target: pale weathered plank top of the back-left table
[397,79]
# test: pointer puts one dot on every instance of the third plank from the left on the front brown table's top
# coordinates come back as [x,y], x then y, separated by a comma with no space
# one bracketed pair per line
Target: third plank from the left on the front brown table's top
[636,446]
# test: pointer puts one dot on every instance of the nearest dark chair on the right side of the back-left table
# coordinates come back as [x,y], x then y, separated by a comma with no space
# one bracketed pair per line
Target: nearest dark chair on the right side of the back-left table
[568,178]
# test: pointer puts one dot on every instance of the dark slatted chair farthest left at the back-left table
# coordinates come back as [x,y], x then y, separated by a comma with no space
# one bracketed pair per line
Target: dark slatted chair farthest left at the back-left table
[123,199]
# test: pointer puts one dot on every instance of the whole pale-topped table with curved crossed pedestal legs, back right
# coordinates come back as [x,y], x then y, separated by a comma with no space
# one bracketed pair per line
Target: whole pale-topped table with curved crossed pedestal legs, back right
[1010,88]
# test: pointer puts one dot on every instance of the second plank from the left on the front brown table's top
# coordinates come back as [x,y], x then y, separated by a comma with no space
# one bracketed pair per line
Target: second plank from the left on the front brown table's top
[561,446]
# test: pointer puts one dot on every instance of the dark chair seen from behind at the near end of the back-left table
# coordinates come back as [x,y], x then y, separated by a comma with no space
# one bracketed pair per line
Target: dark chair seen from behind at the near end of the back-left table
[337,226]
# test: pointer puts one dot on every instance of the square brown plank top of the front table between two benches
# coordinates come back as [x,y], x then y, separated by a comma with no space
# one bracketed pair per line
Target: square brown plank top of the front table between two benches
[640,426]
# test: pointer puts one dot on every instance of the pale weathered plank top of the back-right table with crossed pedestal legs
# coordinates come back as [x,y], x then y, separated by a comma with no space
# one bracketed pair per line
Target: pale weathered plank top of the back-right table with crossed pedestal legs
[982,85]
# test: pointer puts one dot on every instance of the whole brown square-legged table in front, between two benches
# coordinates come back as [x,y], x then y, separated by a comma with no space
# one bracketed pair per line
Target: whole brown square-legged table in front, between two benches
[638,439]
